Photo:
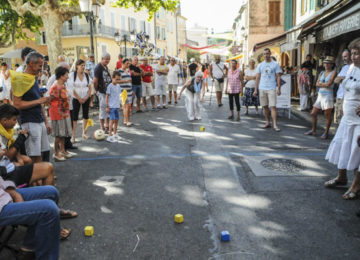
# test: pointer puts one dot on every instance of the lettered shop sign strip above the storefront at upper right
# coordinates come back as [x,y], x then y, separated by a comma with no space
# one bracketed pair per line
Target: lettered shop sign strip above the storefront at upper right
[348,24]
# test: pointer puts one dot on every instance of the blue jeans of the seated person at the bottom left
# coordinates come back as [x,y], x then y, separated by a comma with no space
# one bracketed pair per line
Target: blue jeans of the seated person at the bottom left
[41,214]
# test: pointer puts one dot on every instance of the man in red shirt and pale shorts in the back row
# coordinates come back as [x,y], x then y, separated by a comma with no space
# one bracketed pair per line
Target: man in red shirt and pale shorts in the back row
[147,73]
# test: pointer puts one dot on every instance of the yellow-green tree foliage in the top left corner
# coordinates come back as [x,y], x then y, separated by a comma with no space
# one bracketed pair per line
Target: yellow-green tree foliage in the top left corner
[12,25]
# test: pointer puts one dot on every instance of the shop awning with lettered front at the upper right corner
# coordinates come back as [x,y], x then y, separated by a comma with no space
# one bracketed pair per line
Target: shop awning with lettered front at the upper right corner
[346,22]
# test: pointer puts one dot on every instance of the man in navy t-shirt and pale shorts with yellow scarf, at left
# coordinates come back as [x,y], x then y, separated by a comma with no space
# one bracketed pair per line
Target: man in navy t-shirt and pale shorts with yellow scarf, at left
[32,114]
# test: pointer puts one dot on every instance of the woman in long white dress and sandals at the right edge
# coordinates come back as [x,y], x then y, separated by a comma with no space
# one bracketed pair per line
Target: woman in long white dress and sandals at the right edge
[344,150]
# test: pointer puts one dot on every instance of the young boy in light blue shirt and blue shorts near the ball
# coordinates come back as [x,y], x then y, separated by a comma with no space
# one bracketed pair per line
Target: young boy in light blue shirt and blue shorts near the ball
[112,101]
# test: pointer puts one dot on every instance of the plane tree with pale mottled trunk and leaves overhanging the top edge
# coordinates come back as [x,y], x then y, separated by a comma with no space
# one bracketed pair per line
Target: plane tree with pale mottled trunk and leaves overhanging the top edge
[54,13]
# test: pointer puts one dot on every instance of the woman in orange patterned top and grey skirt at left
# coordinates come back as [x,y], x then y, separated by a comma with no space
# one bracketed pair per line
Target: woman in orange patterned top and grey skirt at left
[60,114]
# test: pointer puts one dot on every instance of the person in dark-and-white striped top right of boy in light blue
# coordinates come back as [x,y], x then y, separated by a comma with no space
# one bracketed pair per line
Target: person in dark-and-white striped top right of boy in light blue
[125,84]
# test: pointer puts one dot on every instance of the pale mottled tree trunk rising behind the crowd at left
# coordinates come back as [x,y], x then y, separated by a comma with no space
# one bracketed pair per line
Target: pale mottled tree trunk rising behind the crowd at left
[53,22]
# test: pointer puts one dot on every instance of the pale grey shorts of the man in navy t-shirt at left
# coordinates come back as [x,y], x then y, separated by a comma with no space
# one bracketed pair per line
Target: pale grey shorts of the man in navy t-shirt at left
[38,141]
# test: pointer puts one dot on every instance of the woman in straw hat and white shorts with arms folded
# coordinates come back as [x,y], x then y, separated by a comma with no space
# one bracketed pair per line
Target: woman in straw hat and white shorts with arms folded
[325,99]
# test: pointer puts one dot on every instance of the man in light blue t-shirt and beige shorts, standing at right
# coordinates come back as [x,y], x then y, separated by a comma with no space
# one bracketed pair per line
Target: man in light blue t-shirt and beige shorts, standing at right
[268,75]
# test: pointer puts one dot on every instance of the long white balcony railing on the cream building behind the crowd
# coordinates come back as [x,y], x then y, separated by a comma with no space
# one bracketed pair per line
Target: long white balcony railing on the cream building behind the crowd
[84,29]
